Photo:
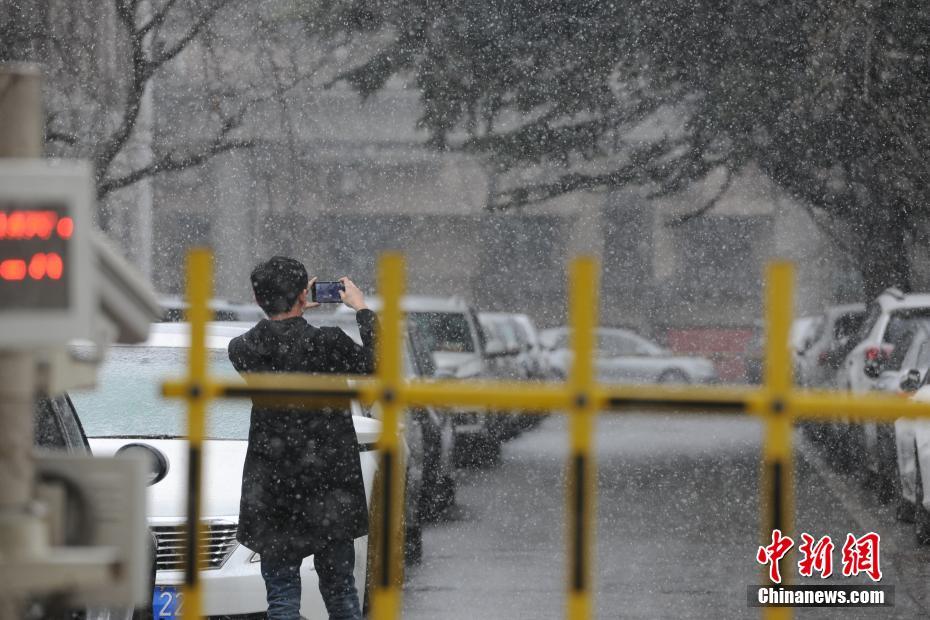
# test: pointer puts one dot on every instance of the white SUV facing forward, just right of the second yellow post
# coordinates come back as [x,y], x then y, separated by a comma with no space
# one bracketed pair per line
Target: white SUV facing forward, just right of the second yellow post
[448,327]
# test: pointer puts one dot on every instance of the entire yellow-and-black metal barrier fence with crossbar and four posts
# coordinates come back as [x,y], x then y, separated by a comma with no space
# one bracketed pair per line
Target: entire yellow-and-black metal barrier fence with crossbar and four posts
[580,397]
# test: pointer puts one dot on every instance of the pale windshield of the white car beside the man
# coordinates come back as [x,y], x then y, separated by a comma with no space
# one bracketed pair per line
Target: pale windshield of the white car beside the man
[127,400]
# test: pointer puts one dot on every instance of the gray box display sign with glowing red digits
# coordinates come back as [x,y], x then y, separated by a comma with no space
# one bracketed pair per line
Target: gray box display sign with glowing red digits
[47,287]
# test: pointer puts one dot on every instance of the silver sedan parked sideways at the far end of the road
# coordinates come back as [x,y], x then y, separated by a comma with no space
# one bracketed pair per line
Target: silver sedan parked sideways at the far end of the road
[624,356]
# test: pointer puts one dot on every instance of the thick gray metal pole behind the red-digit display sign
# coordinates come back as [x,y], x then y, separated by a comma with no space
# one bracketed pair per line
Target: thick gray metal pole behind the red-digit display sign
[21,135]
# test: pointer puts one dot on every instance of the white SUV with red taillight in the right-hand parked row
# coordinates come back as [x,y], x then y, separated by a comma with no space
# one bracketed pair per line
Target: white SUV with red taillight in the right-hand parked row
[889,319]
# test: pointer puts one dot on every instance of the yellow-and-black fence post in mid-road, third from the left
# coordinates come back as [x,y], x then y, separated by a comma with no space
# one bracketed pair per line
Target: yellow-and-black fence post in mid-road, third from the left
[581,480]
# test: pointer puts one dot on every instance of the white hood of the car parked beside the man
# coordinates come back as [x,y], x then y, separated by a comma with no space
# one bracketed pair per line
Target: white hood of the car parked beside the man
[222,475]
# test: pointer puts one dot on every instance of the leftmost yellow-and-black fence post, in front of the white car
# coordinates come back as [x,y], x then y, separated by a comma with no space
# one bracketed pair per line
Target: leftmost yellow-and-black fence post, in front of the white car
[199,283]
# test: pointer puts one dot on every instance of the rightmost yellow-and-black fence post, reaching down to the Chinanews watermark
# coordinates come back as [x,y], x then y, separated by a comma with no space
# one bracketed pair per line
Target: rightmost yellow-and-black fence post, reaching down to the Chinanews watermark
[777,501]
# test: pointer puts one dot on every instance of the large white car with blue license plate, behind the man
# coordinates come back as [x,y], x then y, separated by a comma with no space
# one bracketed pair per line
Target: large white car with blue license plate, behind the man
[127,408]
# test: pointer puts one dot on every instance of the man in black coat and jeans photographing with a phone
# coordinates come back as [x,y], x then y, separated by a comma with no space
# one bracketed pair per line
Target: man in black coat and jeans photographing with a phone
[302,489]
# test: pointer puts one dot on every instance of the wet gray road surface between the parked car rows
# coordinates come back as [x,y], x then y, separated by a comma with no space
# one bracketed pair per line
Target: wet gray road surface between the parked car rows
[677,528]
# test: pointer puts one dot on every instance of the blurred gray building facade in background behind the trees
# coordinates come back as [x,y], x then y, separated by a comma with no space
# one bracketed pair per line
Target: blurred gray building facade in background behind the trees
[335,181]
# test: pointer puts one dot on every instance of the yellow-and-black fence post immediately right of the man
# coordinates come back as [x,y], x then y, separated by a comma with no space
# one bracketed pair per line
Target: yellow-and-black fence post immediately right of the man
[388,532]
